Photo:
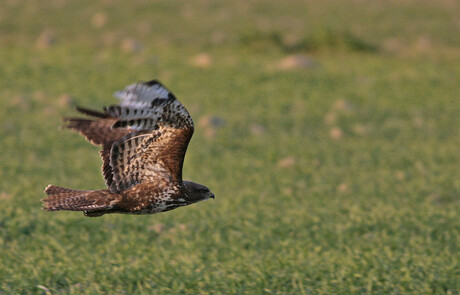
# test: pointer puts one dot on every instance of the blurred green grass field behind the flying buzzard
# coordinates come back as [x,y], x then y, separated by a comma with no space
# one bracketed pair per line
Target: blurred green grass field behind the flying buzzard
[328,130]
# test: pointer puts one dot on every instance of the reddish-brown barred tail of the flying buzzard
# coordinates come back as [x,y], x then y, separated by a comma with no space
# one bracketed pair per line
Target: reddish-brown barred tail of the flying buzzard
[93,203]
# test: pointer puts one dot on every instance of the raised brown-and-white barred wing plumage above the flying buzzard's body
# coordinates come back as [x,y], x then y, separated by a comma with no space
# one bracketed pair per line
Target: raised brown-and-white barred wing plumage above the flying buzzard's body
[144,138]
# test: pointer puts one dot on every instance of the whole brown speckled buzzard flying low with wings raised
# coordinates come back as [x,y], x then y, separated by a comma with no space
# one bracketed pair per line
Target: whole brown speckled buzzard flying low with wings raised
[143,140]
